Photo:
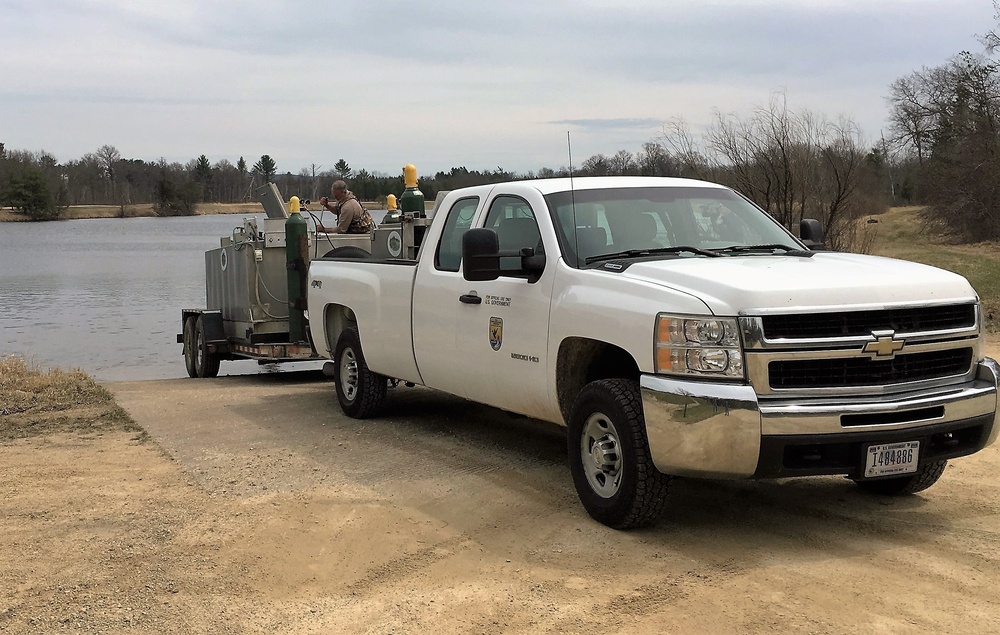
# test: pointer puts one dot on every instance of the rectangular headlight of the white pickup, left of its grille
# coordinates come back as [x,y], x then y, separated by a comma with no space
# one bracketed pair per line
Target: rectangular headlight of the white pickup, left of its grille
[693,345]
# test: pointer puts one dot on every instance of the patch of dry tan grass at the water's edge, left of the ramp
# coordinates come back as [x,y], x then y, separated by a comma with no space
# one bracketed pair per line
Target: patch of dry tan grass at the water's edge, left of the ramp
[35,401]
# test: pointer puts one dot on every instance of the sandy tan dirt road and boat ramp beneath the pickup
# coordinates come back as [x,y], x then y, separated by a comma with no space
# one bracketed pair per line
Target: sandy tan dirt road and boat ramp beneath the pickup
[258,507]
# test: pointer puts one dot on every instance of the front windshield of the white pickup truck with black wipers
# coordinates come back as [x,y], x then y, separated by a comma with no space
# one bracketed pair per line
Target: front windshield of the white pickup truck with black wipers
[616,220]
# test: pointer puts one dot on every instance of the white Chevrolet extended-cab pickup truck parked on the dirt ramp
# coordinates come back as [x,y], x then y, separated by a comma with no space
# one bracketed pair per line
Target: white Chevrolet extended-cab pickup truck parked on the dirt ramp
[676,329]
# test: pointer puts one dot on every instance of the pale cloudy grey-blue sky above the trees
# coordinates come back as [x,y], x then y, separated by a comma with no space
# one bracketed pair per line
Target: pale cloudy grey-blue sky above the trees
[383,83]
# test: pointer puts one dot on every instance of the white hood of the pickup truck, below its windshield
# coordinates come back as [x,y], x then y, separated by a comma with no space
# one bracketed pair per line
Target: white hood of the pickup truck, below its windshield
[735,285]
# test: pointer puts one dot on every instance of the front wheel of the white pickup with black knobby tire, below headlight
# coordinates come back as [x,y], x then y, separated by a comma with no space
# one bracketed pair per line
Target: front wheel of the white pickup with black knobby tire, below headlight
[609,456]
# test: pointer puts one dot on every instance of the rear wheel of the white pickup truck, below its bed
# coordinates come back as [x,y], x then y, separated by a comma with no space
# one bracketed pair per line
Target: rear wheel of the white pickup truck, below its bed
[360,392]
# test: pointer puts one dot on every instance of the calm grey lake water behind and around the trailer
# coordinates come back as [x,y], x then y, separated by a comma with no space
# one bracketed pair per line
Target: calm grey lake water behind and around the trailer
[105,295]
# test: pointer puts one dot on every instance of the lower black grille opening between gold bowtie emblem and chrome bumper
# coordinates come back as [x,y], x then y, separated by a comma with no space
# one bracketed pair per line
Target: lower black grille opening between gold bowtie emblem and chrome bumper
[863,371]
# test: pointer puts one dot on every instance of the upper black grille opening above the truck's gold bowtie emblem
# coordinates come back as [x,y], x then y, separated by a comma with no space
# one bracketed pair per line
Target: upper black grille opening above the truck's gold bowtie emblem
[862,323]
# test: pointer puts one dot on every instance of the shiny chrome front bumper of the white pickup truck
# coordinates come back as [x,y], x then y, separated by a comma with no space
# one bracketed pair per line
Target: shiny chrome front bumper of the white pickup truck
[717,430]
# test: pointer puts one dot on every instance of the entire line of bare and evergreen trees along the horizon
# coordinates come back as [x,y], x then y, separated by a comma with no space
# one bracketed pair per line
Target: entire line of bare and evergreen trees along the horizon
[942,151]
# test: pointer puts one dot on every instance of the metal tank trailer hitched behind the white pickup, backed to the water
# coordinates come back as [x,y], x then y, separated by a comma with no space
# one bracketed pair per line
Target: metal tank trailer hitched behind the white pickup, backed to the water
[247,310]
